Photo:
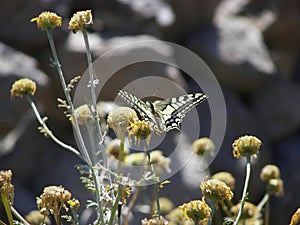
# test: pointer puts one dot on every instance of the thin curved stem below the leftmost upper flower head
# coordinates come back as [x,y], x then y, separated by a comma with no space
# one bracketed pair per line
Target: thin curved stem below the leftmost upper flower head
[48,132]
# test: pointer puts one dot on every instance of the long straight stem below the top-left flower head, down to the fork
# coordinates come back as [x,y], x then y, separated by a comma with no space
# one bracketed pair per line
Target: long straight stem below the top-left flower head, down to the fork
[68,98]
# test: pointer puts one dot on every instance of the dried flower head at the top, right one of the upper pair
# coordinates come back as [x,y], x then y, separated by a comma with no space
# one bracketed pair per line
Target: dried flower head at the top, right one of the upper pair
[81,20]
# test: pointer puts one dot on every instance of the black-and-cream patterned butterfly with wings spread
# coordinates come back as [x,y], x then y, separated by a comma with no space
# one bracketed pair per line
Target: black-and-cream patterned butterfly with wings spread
[163,115]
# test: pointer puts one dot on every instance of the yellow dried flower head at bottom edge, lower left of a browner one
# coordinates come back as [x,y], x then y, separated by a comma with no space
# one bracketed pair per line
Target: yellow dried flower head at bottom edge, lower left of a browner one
[196,210]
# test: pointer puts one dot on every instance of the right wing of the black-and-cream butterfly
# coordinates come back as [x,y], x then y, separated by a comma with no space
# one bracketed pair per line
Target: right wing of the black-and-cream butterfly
[173,110]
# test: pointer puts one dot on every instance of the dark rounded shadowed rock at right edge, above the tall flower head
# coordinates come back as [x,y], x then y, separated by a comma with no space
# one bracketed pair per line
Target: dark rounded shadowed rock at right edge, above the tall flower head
[277,108]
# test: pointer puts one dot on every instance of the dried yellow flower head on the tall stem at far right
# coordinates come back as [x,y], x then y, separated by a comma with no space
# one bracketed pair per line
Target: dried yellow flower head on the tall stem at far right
[246,145]
